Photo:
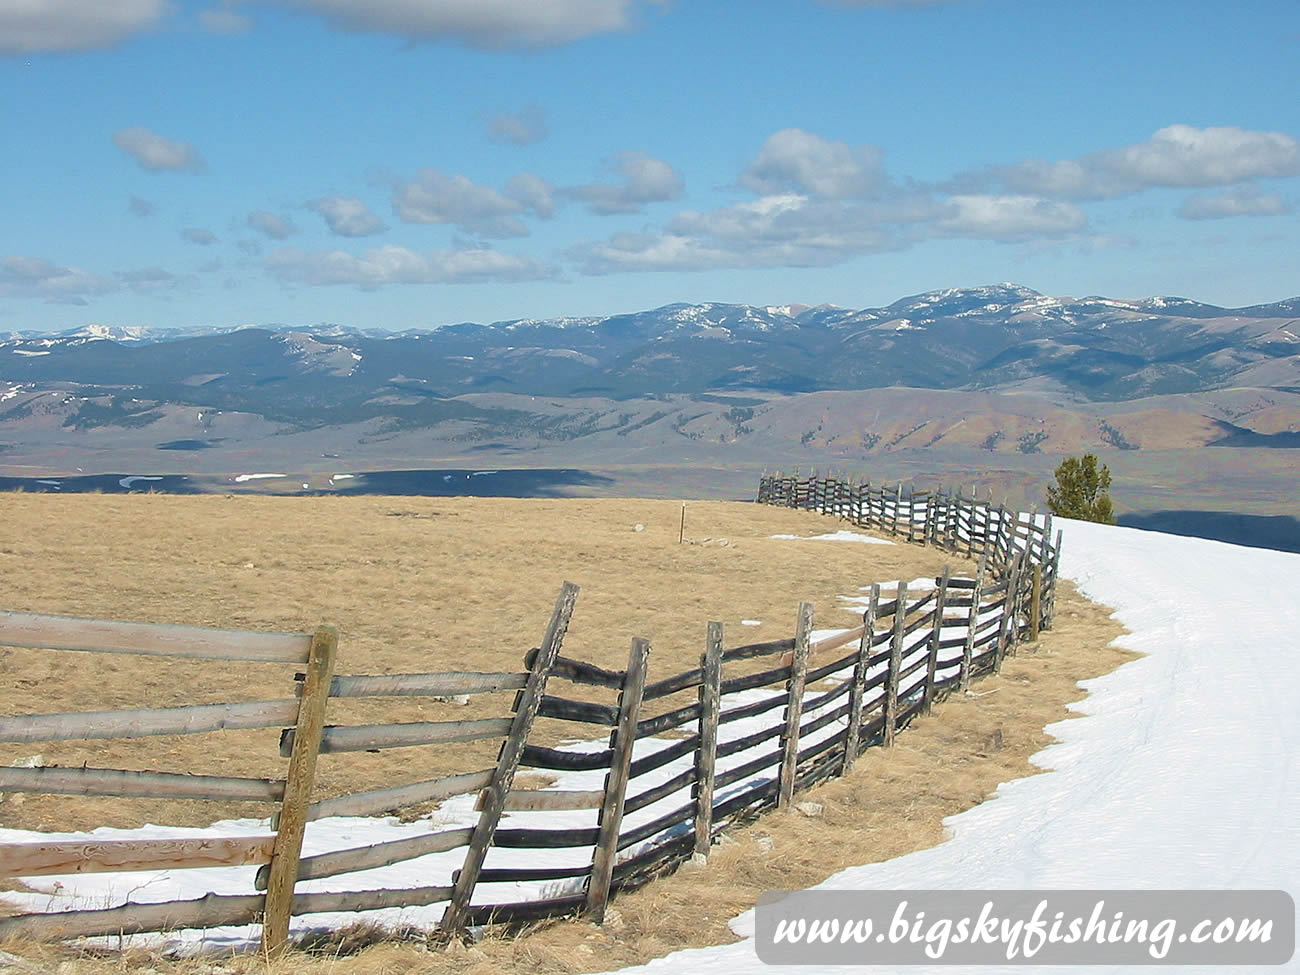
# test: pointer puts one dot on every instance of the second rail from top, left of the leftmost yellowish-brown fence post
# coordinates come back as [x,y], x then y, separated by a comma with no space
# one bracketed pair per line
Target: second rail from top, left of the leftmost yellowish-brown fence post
[146,722]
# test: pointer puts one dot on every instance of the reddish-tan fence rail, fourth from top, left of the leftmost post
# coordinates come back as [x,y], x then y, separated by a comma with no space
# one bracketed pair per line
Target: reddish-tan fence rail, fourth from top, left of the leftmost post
[112,856]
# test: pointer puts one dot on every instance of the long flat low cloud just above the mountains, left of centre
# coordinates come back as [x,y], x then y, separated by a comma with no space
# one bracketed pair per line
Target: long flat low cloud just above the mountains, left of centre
[400,266]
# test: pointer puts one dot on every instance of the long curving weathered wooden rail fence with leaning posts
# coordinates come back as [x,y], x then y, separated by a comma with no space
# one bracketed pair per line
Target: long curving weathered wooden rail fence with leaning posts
[687,755]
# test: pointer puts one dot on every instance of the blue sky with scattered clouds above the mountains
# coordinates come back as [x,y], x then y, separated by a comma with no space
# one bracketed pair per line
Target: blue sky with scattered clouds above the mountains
[414,163]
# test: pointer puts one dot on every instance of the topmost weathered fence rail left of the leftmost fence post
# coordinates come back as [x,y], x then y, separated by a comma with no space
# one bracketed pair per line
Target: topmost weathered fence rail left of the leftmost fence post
[150,639]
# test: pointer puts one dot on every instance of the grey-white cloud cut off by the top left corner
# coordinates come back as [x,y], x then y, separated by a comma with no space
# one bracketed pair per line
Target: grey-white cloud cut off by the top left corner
[33,27]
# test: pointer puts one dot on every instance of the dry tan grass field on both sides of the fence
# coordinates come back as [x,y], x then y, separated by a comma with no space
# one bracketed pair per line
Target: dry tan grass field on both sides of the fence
[457,584]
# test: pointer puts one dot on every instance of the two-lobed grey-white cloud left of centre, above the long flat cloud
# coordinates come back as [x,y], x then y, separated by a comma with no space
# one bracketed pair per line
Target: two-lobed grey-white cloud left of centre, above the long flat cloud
[436,197]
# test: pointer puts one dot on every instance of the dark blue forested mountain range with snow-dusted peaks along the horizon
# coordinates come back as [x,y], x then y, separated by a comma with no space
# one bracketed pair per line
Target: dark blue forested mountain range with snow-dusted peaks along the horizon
[999,339]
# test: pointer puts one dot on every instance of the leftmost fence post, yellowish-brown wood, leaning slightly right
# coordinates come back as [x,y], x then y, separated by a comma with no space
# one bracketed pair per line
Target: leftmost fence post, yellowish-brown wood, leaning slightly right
[298,791]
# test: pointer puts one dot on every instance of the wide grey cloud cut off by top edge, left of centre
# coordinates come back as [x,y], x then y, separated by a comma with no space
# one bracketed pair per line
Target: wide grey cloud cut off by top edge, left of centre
[480,24]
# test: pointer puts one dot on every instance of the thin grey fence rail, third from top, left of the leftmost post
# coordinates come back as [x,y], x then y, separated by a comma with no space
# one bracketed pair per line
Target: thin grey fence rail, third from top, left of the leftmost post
[53,781]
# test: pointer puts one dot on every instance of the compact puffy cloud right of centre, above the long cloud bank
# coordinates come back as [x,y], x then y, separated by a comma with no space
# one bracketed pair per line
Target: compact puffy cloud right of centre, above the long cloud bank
[795,161]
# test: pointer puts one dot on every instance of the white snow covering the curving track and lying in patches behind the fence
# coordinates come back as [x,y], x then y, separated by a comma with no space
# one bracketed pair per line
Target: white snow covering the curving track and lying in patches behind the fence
[1184,772]
